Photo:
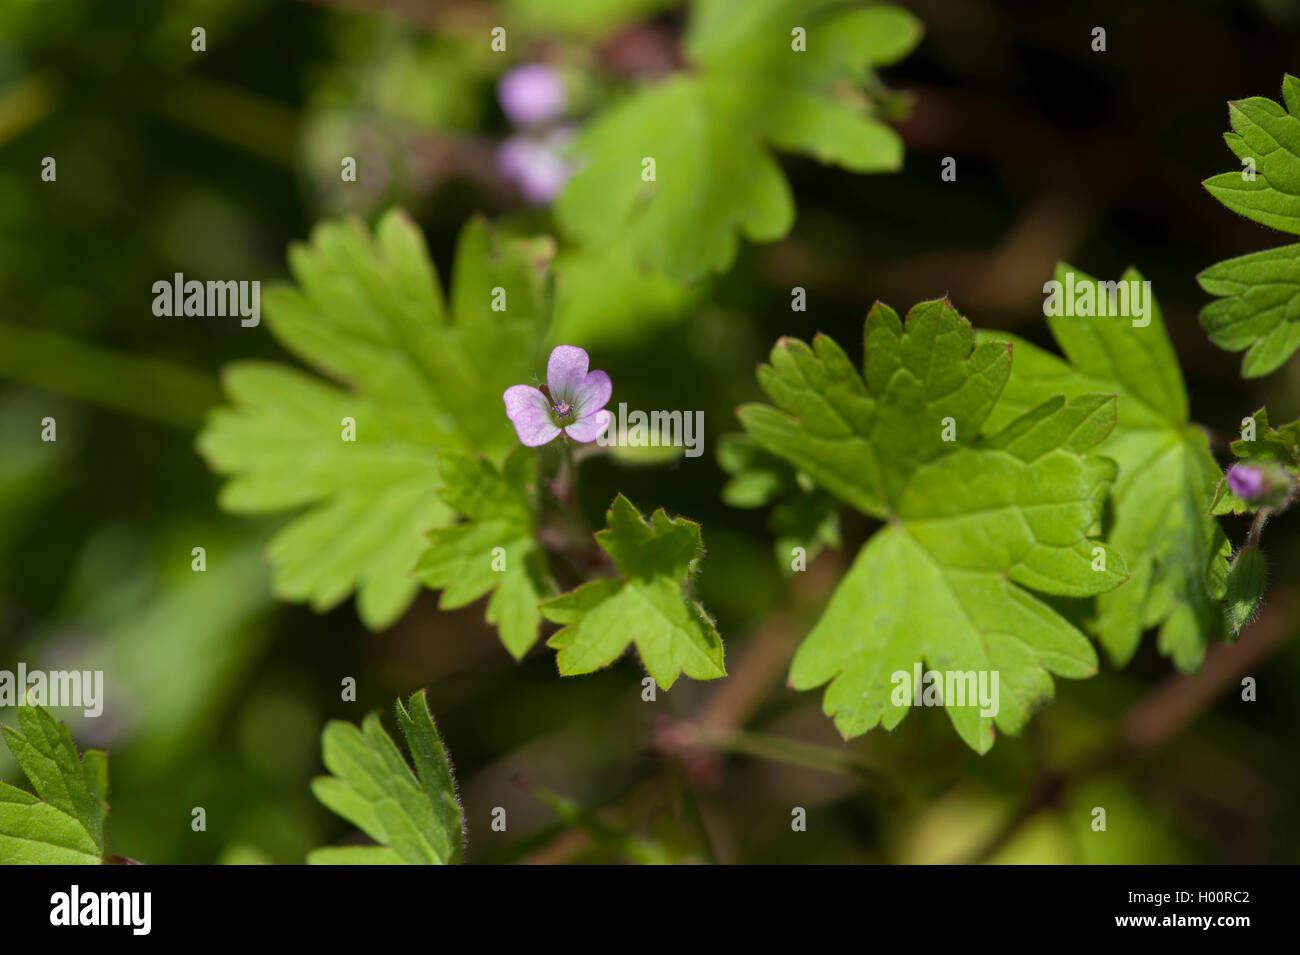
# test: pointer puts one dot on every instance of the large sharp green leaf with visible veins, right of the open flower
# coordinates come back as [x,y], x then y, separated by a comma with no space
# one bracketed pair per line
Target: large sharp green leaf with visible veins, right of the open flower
[973,523]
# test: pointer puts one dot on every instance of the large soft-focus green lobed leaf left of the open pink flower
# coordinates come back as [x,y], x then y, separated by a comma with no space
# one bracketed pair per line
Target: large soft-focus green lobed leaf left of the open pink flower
[369,311]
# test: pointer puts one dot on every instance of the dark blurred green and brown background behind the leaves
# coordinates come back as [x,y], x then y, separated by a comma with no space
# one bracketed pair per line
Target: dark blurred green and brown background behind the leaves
[214,163]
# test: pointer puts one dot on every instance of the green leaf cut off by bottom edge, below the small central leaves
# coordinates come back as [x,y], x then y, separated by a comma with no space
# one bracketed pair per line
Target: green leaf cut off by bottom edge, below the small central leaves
[417,819]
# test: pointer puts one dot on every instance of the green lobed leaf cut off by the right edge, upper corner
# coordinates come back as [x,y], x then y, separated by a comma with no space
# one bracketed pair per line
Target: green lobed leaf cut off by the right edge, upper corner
[1260,309]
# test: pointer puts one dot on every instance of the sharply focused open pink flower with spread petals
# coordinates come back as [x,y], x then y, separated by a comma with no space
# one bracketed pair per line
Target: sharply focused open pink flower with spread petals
[575,406]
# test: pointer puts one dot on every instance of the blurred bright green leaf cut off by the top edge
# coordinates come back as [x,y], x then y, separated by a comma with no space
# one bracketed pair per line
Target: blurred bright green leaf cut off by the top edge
[710,132]
